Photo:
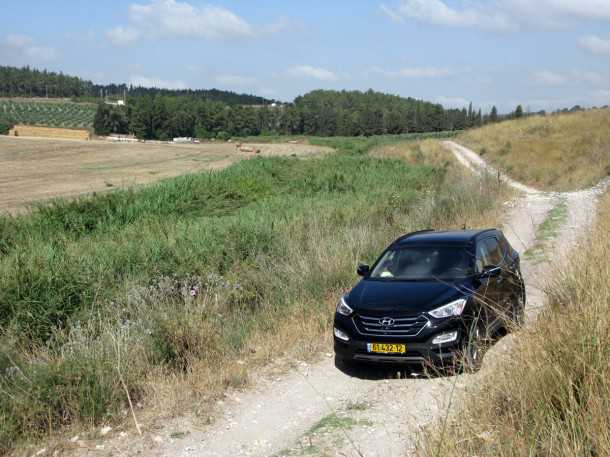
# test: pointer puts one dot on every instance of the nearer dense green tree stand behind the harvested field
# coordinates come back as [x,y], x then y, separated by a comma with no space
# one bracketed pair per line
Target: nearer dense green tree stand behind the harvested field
[321,112]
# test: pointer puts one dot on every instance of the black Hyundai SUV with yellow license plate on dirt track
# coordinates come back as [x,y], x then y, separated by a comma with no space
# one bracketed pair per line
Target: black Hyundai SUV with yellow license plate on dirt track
[432,297]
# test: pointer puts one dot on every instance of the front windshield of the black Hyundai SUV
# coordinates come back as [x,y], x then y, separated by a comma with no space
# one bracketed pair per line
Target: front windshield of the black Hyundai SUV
[424,263]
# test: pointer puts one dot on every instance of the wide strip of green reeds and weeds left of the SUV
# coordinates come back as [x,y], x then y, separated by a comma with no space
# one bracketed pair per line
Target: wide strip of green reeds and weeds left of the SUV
[178,289]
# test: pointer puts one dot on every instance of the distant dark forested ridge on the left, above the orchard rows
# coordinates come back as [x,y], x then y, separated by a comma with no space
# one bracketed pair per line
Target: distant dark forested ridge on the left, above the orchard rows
[28,82]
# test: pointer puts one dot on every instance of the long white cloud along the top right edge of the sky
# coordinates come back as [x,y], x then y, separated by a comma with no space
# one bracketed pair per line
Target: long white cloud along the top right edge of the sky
[507,15]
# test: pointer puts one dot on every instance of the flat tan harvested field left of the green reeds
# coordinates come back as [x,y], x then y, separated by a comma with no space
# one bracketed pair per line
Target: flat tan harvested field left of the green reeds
[35,169]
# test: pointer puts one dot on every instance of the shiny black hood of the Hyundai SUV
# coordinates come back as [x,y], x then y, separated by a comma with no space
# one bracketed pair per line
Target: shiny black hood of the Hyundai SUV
[409,297]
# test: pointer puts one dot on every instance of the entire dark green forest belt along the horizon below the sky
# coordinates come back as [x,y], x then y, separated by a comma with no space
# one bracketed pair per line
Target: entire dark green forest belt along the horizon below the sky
[152,113]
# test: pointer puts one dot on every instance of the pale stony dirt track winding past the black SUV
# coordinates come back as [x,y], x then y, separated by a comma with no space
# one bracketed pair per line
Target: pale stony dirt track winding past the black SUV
[319,410]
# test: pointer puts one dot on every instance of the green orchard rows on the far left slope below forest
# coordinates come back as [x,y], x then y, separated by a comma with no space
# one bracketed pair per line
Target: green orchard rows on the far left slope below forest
[50,114]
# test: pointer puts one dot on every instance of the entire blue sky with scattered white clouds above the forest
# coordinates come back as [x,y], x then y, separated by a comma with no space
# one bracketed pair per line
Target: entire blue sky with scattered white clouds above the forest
[543,54]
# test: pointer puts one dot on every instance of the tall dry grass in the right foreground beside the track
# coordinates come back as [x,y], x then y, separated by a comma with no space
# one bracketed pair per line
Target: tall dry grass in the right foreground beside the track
[552,398]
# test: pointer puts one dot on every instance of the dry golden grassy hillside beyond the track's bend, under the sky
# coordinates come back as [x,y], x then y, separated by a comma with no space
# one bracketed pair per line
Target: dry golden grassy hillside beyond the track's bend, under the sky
[554,152]
